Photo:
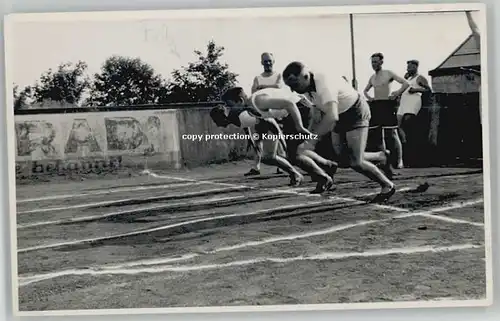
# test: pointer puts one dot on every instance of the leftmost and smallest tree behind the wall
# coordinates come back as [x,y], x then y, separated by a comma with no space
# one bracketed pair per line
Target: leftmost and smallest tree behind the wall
[64,85]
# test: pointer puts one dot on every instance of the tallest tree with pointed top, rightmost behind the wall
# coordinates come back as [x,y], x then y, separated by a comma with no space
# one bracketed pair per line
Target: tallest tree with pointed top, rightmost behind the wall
[204,79]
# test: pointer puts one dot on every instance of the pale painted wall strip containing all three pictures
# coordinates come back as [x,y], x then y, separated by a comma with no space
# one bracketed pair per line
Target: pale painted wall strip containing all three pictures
[89,136]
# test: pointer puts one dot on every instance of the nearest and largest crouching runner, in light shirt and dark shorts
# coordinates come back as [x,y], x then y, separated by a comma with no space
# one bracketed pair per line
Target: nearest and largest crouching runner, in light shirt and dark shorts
[346,114]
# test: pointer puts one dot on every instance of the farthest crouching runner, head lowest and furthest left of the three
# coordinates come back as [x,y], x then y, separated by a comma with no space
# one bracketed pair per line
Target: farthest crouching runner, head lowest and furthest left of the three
[242,118]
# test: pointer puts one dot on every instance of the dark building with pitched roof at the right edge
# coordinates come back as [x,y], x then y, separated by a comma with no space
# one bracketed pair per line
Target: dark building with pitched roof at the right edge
[455,121]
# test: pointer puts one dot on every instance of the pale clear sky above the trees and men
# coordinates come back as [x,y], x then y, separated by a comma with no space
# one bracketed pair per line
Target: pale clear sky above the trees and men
[322,43]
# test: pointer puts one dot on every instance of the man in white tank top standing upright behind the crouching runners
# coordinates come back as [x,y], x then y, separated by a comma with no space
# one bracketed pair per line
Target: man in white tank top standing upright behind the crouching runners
[267,79]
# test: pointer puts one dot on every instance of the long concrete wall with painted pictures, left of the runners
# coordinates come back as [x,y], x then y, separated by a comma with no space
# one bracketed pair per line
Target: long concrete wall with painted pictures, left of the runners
[101,141]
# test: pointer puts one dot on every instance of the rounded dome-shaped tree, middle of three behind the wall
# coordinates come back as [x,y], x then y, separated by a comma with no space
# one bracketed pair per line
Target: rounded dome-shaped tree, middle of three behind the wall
[126,81]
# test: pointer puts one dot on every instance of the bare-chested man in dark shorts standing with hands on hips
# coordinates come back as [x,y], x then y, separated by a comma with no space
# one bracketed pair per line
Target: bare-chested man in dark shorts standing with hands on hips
[383,105]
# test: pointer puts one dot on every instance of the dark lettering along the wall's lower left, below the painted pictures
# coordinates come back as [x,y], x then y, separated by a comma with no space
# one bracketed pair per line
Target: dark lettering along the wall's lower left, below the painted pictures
[67,166]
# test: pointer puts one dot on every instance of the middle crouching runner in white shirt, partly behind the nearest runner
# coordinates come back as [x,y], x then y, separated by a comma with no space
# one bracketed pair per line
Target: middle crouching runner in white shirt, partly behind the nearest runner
[273,103]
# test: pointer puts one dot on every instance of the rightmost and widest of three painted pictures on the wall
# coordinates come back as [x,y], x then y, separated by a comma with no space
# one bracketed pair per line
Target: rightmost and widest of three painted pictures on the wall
[128,134]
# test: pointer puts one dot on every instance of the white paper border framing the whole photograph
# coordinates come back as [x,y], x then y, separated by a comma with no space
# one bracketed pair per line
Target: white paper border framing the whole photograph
[11,19]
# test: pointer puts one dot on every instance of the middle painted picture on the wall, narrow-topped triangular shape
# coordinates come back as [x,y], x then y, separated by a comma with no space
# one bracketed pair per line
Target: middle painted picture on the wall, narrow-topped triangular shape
[81,139]
